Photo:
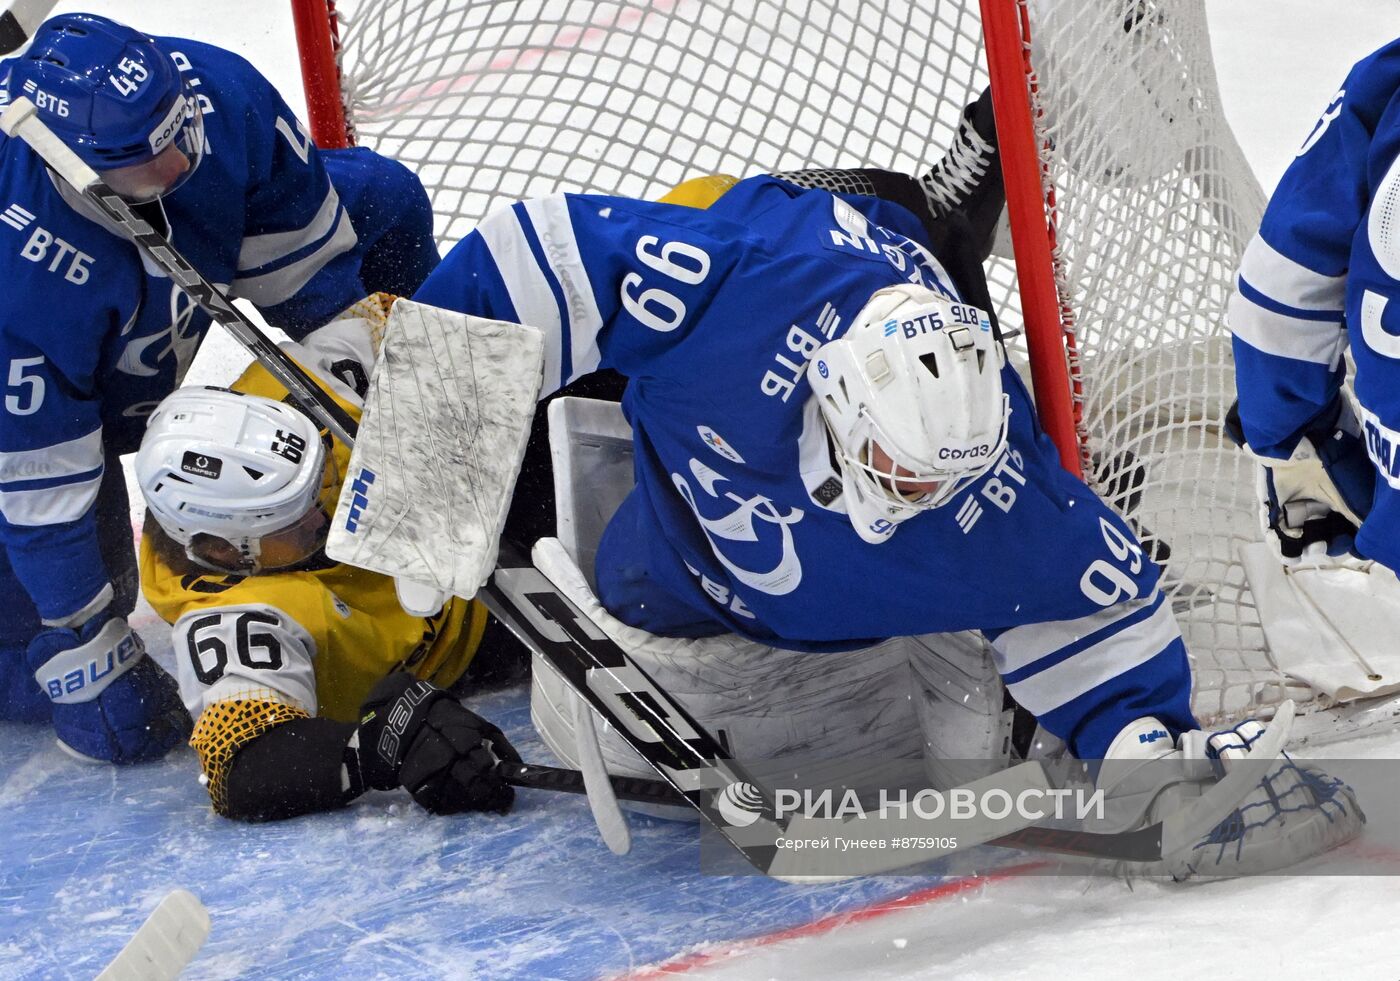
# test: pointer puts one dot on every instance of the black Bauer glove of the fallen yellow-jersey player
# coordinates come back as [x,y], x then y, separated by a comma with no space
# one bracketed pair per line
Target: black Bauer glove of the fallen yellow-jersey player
[415,735]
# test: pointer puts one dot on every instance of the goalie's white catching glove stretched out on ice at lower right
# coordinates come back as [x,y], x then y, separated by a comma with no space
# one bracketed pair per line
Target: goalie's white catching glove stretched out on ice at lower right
[1294,814]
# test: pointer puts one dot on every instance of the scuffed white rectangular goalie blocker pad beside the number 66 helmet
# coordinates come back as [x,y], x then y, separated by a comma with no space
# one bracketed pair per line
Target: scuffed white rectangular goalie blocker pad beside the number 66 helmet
[440,446]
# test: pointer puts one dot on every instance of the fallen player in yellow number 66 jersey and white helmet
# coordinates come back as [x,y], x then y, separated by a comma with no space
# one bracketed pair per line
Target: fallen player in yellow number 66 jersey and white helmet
[290,663]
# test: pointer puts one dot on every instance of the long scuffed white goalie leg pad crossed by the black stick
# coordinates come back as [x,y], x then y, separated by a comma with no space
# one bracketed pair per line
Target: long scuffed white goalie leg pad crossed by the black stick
[761,702]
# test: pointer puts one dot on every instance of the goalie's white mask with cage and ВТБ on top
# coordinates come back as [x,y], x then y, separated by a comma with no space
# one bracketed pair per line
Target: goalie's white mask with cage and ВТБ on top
[918,376]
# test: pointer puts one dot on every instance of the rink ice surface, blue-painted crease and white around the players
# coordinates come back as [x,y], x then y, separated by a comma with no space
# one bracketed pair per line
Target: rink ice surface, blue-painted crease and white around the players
[386,891]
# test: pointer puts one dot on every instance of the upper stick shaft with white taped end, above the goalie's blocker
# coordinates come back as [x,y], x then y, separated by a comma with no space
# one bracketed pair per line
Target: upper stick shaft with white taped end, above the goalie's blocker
[22,121]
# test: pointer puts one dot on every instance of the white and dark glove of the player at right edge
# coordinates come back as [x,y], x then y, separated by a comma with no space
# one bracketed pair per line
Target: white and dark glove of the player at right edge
[1315,500]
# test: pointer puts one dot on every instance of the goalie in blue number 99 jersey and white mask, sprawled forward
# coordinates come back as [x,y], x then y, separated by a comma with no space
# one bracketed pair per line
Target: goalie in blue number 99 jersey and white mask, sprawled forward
[832,450]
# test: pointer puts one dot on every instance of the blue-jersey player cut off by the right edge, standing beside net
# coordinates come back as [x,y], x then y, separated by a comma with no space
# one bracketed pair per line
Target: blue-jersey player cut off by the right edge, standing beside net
[1322,276]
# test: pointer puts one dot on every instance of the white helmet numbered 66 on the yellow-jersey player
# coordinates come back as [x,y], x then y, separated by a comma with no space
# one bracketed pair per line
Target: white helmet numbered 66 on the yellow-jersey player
[229,465]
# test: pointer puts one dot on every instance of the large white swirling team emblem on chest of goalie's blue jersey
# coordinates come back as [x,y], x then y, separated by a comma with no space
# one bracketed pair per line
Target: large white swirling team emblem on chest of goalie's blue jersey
[743,525]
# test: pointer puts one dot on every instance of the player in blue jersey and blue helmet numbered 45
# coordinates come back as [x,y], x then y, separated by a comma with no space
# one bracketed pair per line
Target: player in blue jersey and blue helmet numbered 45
[92,338]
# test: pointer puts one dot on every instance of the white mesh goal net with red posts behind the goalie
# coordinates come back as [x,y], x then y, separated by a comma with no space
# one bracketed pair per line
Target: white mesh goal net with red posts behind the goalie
[1130,201]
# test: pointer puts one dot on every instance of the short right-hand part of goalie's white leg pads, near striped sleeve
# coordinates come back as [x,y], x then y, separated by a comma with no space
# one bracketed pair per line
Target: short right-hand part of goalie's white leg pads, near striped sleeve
[958,699]
